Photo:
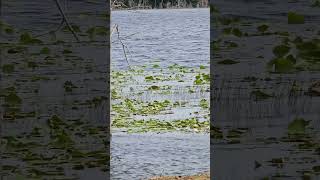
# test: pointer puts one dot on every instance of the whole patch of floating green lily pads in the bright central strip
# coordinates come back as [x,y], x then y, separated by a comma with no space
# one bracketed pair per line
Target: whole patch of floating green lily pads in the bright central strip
[127,112]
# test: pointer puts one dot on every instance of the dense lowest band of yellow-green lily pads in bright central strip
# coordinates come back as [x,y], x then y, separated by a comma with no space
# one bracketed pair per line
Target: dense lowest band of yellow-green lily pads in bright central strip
[192,124]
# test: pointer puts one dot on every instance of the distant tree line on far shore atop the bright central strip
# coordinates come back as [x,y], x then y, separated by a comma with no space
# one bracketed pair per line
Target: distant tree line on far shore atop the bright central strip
[158,4]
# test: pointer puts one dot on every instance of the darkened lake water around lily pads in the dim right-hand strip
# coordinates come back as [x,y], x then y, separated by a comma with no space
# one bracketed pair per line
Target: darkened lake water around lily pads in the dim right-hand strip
[268,120]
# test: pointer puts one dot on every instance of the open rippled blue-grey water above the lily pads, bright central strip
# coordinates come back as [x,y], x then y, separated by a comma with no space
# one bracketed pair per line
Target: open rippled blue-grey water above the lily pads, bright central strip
[170,36]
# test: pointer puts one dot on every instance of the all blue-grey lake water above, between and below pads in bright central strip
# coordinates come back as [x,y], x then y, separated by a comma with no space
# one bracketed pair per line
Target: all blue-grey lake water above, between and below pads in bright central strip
[162,37]
